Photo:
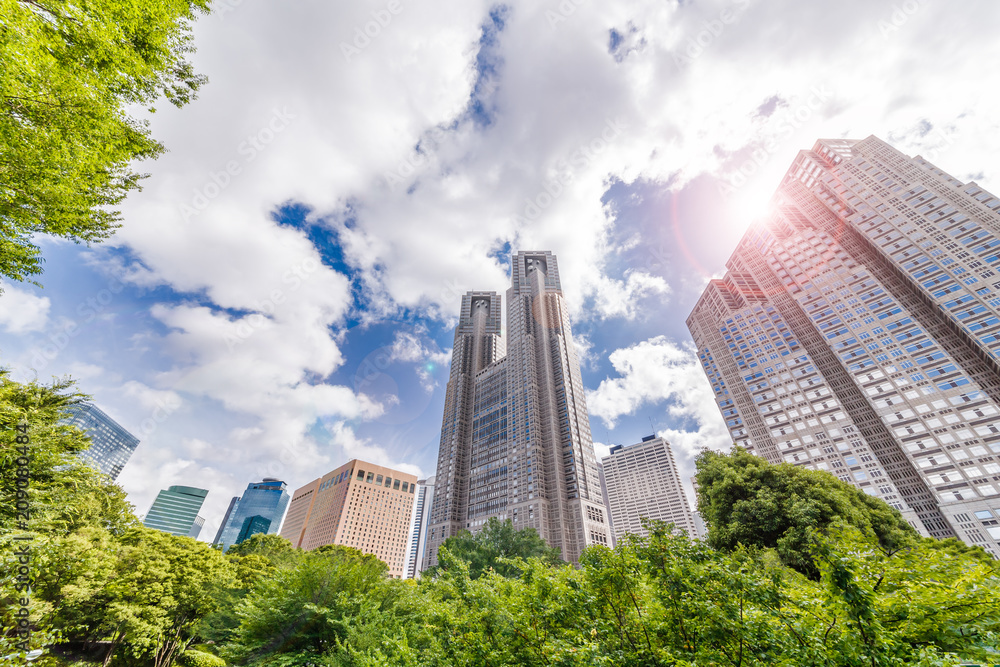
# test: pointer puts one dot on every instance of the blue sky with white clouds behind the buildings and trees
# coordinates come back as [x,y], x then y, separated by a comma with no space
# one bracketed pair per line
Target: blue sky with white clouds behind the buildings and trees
[283,292]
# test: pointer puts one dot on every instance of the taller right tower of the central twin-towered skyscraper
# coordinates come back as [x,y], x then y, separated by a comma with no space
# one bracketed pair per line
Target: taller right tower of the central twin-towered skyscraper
[559,489]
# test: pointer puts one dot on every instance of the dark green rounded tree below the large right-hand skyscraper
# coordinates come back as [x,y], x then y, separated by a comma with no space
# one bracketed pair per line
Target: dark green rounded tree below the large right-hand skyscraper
[746,500]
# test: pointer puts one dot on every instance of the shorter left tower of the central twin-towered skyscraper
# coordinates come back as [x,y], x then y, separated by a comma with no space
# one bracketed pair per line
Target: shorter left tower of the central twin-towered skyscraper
[476,346]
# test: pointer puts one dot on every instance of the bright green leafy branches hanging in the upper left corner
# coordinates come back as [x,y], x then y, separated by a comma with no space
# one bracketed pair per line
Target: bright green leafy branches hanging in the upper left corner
[71,73]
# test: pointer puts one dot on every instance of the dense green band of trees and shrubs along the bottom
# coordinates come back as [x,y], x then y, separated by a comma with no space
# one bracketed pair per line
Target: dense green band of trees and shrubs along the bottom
[873,595]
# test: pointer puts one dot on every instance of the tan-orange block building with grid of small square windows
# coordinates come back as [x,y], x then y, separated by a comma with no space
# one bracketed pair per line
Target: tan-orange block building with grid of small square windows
[360,505]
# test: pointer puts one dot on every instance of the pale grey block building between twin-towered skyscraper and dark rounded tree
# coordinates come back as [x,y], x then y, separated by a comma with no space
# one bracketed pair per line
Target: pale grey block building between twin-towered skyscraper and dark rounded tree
[643,483]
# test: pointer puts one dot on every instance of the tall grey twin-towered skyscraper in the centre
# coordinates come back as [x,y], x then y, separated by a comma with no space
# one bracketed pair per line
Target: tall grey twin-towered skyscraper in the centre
[515,438]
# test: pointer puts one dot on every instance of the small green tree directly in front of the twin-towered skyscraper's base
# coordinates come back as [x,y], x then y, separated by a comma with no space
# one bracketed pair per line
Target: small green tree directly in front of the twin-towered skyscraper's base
[494,545]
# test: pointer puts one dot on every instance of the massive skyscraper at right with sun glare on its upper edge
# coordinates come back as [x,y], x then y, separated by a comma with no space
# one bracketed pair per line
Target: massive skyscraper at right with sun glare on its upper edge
[857,330]
